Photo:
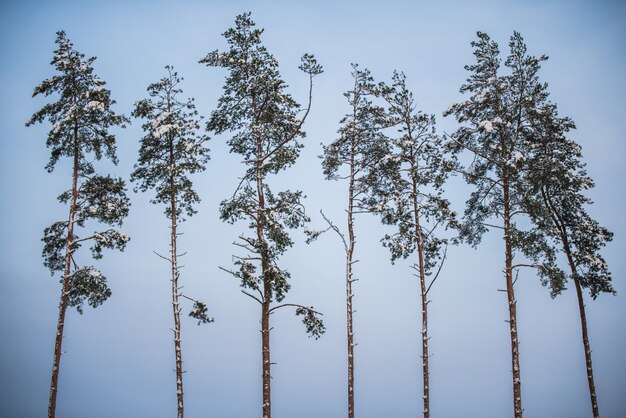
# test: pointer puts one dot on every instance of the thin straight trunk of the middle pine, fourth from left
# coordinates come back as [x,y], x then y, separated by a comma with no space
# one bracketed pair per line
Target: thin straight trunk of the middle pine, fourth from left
[349,310]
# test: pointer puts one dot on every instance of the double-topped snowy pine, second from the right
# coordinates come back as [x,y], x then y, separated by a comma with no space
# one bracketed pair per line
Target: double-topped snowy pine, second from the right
[499,133]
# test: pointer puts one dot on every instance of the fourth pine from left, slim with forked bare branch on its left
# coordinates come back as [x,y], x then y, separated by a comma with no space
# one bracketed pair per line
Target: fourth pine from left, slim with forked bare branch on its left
[359,148]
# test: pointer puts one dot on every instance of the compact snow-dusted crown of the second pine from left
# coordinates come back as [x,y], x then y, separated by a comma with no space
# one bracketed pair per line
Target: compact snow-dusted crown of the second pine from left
[171,148]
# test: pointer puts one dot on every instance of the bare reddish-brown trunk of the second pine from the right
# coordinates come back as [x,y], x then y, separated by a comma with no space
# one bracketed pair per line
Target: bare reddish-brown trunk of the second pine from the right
[517,383]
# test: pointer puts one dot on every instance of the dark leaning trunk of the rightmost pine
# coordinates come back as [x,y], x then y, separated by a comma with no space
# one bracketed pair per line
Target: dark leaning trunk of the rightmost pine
[581,304]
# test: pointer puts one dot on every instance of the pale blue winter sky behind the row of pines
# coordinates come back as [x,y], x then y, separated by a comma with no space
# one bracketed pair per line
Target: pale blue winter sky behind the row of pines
[119,358]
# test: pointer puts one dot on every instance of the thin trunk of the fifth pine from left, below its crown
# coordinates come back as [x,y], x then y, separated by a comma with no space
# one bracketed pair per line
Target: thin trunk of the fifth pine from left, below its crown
[422,276]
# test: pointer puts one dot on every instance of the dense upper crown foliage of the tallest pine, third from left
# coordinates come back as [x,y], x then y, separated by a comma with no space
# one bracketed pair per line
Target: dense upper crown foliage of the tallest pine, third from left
[254,103]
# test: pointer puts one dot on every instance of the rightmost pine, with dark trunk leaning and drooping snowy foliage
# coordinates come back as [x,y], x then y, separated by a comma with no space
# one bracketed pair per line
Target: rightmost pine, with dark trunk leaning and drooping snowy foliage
[557,180]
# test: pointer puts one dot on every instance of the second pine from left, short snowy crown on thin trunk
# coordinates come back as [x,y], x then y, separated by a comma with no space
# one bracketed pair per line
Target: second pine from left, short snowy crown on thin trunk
[171,150]
